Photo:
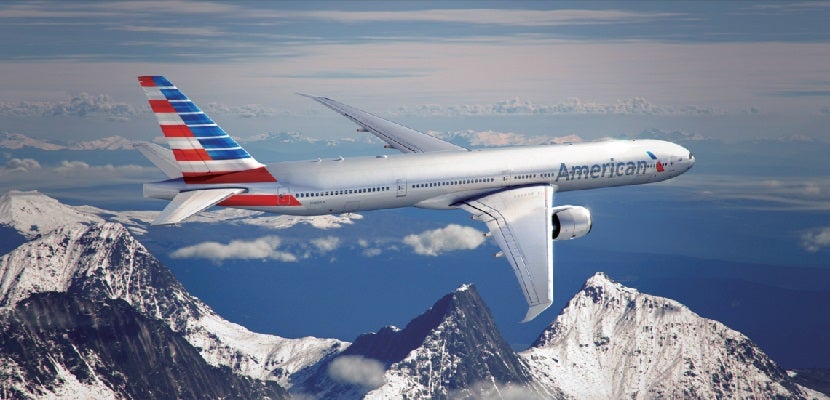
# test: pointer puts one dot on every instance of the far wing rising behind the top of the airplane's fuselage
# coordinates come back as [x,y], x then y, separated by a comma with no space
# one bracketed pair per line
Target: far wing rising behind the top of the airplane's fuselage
[397,136]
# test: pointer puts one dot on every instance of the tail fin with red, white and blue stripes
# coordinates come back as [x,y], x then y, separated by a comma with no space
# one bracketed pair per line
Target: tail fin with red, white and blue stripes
[203,152]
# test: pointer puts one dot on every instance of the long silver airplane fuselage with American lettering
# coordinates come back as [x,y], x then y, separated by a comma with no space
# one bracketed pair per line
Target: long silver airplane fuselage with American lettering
[440,180]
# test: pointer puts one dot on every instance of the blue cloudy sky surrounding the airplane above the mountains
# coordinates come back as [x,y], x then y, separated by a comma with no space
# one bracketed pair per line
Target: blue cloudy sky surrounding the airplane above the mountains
[742,84]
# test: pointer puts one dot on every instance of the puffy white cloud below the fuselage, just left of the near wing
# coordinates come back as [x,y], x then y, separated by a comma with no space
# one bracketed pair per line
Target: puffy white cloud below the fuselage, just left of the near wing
[452,237]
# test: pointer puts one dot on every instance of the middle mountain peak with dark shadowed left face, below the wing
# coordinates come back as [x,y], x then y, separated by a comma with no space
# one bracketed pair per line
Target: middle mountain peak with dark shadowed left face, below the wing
[453,350]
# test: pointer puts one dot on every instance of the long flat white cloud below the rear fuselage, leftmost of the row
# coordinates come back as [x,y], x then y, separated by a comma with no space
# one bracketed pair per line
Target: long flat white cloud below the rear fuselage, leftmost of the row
[266,247]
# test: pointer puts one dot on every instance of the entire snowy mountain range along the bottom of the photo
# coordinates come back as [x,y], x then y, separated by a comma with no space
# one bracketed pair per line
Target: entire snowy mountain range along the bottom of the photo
[87,311]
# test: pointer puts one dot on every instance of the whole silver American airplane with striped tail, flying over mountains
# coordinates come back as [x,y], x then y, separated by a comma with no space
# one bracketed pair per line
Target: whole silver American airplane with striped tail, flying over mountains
[511,190]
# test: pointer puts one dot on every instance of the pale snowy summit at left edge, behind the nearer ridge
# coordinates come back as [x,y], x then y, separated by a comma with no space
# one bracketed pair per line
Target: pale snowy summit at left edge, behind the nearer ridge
[32,213]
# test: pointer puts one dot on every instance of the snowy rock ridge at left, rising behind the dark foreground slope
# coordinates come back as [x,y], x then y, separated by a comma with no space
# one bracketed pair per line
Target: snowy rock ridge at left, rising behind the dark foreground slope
[104,261]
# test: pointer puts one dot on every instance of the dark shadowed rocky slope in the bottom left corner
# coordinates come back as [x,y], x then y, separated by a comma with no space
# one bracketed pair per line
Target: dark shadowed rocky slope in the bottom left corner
[60,345]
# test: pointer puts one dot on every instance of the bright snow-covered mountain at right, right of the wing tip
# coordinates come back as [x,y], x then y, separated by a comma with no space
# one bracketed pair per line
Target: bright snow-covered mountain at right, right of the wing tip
[614,342]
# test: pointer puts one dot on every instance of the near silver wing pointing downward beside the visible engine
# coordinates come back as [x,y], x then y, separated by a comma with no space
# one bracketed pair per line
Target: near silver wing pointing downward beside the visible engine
[520,221]
